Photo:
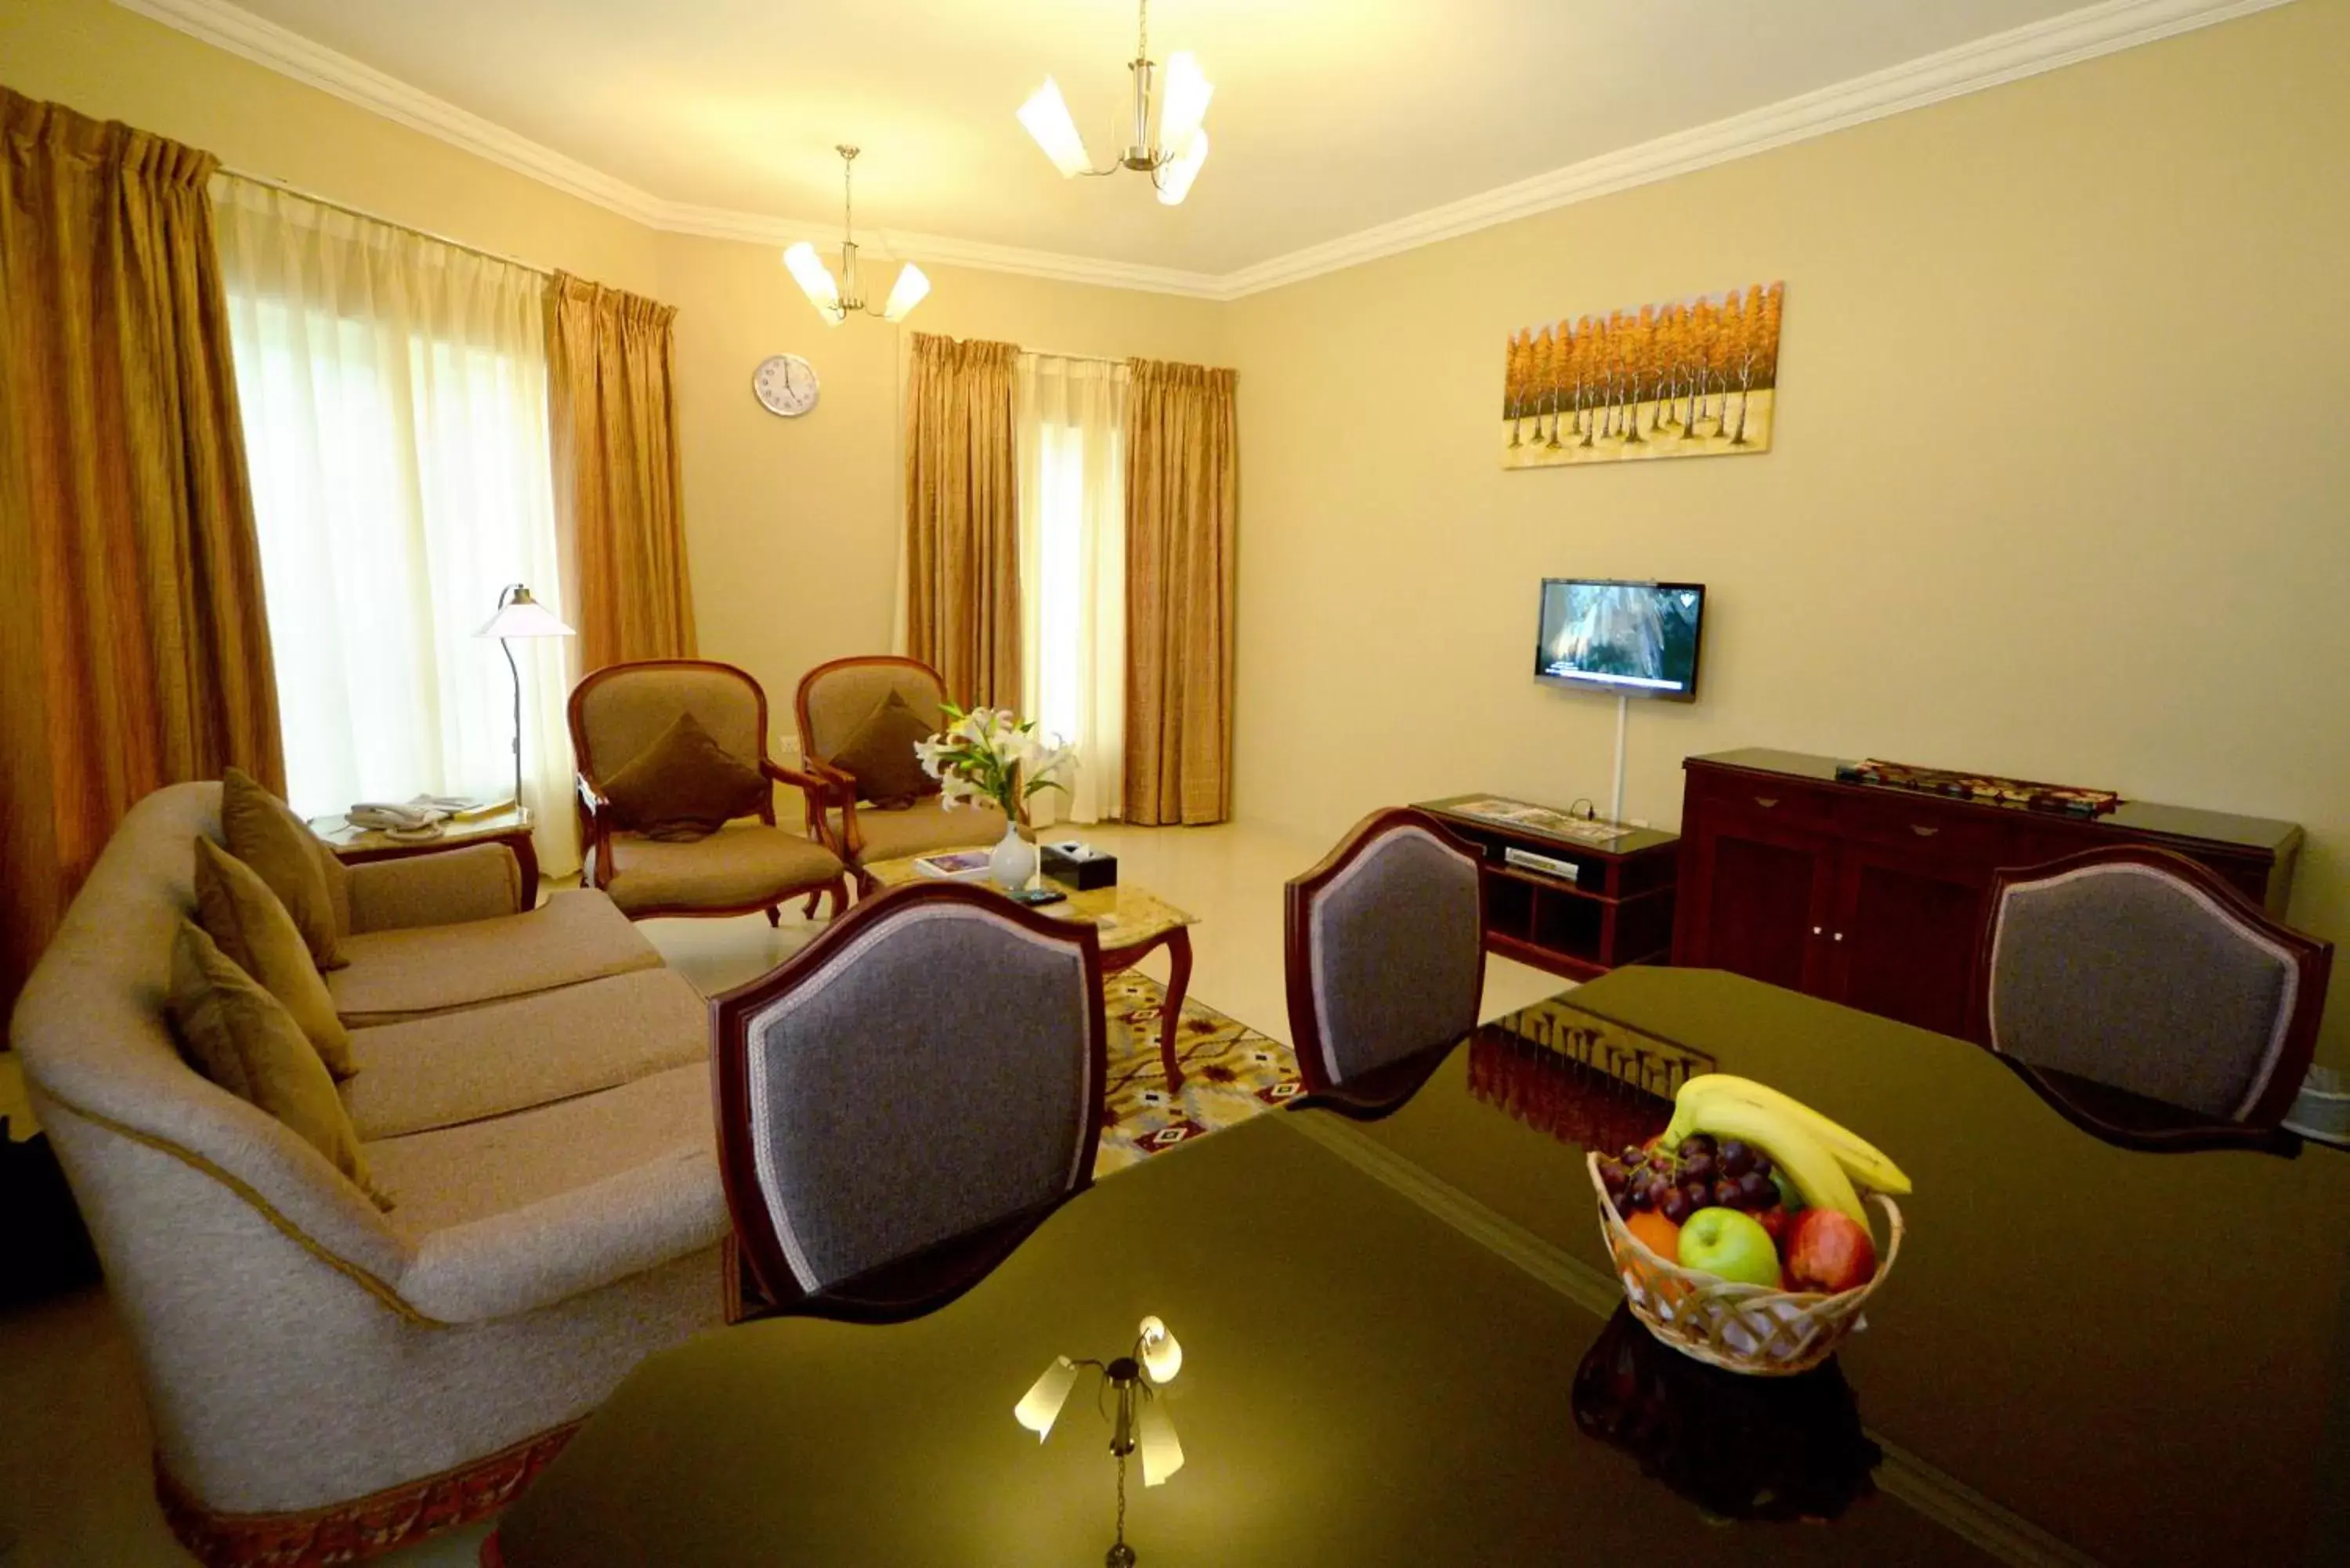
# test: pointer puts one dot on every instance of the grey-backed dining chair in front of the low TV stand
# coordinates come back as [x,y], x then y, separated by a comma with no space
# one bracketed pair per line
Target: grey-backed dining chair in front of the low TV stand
[1385,953]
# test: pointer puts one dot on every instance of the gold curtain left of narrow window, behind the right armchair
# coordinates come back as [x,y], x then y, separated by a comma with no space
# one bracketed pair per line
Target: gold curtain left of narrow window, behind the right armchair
[962,518]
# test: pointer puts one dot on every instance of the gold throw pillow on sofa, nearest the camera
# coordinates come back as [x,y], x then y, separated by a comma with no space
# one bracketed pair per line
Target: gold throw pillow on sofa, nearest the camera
[241,1038]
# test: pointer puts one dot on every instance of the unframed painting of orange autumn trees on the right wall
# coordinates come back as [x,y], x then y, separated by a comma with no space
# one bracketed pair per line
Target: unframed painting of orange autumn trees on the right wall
[1693,377]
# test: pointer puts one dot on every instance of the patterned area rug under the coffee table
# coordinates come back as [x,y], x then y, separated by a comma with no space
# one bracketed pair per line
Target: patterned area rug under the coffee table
[1230,1073]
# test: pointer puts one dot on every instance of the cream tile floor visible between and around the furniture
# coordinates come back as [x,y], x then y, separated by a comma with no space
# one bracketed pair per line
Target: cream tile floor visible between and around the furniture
[74,1461]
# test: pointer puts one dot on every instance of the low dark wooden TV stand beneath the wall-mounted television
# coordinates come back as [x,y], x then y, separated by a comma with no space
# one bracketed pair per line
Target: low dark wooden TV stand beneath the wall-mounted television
[1597,906]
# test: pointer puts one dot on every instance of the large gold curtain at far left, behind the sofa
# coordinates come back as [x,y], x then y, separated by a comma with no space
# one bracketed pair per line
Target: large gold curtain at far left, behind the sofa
[133,636]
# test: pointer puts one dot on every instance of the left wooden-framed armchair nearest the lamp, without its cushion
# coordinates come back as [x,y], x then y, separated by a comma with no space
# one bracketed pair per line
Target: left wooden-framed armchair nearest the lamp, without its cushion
[622,711]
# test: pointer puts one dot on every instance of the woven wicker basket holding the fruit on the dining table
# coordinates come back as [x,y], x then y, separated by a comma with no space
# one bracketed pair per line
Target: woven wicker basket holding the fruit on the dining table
[1738,1327]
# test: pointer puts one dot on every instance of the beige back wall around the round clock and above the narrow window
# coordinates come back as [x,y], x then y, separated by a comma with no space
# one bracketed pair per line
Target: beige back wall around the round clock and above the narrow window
[795,523]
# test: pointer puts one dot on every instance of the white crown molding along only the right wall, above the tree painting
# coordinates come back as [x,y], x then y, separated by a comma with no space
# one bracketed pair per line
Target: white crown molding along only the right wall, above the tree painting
[1987,62]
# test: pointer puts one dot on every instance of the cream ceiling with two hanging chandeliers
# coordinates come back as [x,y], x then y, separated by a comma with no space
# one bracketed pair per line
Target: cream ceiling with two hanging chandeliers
[1331,116]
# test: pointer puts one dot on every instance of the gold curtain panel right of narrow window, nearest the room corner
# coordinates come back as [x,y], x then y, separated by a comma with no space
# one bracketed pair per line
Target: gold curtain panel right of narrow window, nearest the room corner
[1183,504]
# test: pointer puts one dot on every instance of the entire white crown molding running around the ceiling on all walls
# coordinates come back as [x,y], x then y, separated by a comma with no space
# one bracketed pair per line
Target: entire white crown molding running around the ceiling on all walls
[1987,62]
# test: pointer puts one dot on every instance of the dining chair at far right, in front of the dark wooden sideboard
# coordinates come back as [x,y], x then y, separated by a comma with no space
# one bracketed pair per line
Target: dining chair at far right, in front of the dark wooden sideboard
[2144,972]
